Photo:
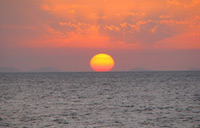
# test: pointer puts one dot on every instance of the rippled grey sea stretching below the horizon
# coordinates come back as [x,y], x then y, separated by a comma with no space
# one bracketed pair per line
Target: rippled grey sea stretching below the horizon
[100,100]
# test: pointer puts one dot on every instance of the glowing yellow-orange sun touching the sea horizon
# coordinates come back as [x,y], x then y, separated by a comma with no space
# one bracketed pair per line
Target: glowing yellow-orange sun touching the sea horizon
[102,62]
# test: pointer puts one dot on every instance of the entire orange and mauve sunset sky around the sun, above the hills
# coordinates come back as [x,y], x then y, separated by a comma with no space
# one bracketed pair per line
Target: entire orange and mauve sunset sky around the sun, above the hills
[66,34]
